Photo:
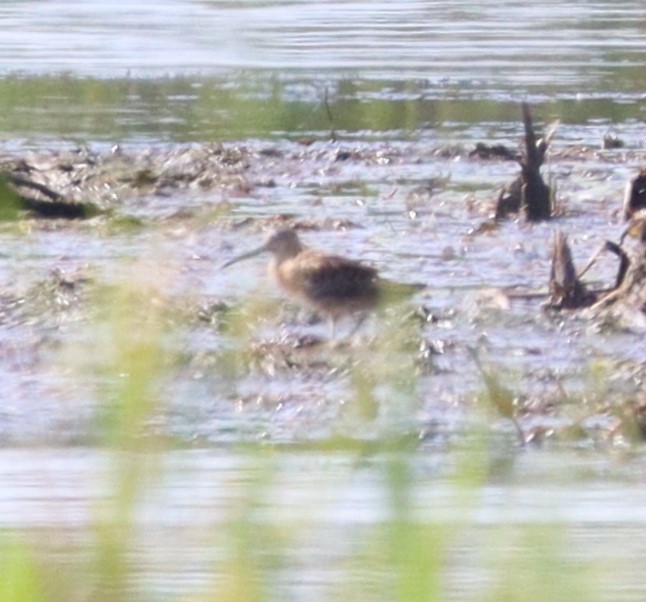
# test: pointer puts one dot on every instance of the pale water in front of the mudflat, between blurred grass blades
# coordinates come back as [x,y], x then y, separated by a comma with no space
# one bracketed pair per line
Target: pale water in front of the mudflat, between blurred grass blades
[329,506]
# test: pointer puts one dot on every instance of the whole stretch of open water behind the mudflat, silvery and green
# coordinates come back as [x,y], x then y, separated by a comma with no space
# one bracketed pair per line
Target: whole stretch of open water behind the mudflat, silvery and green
[220,70]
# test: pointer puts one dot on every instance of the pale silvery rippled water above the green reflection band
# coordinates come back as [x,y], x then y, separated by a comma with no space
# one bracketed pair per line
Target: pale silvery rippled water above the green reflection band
[460,42]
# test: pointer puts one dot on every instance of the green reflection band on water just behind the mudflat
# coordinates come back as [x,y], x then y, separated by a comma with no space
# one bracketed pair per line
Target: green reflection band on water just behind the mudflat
[262,106]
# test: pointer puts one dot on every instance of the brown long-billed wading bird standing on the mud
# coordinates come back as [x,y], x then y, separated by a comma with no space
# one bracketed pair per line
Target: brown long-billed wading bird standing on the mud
[332,286]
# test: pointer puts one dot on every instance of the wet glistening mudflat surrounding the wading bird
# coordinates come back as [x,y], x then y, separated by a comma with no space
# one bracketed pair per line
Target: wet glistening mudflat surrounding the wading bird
[175,213]
